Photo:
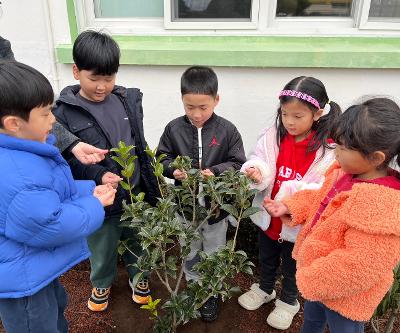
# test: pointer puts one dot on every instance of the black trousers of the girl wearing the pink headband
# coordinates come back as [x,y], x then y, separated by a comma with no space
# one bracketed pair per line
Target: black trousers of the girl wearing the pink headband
[272,253]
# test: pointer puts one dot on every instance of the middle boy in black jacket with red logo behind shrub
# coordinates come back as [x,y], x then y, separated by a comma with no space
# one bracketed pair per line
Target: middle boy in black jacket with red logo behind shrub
[214,144]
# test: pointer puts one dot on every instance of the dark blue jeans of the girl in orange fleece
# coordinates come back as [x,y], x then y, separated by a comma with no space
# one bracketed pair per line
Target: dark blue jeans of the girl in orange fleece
[317,315]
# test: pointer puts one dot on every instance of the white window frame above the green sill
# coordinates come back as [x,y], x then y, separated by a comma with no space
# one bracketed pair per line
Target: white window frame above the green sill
[263,22]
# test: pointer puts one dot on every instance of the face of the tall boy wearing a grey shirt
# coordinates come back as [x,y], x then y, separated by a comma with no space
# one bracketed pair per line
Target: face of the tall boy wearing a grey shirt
[94,88]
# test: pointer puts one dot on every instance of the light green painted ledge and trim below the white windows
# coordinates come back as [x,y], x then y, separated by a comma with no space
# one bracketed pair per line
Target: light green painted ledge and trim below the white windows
[182,48]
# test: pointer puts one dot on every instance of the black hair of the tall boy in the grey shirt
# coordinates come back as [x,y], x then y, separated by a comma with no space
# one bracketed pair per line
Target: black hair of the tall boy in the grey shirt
[96,51]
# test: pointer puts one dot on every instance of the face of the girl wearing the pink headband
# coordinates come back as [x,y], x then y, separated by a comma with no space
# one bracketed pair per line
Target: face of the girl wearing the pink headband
[298,119]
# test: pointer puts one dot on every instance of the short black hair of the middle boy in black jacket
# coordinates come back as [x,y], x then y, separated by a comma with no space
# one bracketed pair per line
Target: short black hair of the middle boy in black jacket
[199,80]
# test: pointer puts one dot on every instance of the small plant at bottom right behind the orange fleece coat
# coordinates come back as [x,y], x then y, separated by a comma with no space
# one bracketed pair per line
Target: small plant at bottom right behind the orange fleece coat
[389,305]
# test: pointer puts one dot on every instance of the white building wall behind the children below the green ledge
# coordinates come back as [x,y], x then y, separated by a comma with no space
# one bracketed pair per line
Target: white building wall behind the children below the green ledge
[248,95]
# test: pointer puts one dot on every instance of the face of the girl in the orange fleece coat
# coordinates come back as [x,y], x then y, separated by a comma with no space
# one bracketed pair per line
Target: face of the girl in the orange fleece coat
[353,162]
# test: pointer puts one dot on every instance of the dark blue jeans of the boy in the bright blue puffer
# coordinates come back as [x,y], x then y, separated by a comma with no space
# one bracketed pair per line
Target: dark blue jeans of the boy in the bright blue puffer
[42,312]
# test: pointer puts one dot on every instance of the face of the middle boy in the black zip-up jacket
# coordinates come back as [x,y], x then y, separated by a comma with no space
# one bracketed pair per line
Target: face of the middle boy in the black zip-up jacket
[199,108]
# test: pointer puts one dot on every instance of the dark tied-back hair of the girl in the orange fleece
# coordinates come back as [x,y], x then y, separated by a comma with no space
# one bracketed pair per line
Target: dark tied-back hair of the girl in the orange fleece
[371,126]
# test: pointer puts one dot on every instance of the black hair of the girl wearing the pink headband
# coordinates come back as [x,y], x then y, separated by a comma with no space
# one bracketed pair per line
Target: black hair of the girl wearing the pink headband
[325,125]
